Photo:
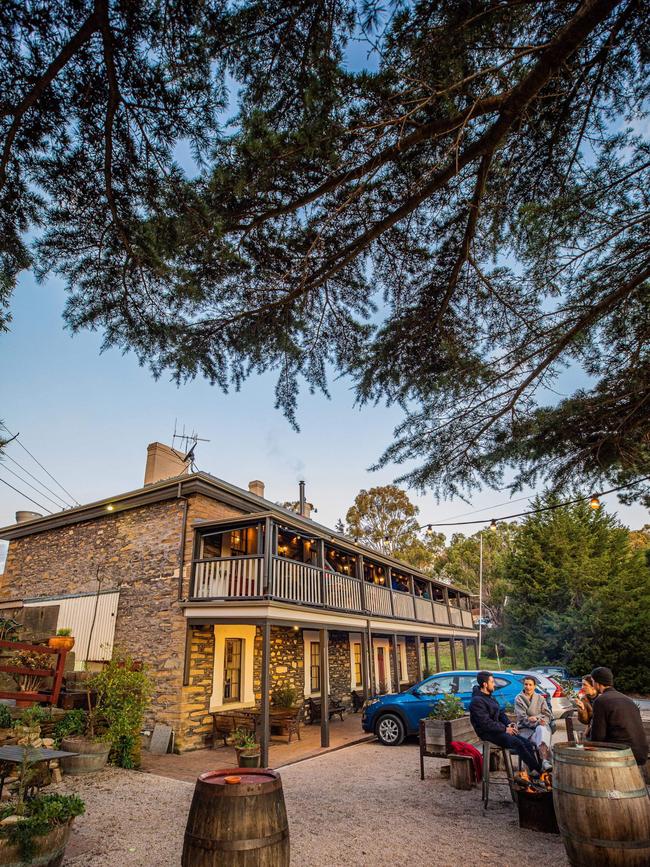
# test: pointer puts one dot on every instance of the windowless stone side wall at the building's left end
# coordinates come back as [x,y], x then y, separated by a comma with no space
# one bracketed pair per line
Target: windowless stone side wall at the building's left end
[135,551]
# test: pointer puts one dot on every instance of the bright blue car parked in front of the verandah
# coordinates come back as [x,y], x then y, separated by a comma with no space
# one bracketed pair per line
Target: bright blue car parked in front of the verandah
[392,717]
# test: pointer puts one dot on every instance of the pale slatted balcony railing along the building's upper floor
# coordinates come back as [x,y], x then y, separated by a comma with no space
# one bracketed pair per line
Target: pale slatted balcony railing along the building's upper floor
[243,577]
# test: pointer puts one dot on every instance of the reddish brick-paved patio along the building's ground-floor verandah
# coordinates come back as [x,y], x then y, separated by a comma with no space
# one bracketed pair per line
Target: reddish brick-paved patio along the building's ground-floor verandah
[189,765]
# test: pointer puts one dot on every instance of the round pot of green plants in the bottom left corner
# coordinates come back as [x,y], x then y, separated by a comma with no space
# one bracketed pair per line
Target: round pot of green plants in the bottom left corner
[35,830]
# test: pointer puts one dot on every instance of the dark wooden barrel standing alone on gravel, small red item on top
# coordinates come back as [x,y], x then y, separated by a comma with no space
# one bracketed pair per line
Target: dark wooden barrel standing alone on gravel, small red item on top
[237,819]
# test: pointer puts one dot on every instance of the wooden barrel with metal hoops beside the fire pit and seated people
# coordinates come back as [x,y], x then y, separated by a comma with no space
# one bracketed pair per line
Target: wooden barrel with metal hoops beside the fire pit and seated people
[602,806]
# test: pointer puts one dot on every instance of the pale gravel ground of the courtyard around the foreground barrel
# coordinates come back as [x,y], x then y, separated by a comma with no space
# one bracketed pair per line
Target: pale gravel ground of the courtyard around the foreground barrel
[364,804]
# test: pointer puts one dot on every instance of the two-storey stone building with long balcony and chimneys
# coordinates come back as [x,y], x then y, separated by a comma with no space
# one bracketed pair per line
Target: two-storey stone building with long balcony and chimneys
[227,597]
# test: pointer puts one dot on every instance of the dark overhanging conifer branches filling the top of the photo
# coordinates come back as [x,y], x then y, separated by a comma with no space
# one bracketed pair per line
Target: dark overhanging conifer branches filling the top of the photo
[451,230]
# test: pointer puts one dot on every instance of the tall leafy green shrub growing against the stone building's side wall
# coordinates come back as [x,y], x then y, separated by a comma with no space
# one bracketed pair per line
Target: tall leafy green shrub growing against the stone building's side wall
[122,696]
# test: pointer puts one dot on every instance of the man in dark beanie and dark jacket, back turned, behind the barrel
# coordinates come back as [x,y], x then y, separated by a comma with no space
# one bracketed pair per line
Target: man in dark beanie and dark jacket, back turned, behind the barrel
[616,719]
